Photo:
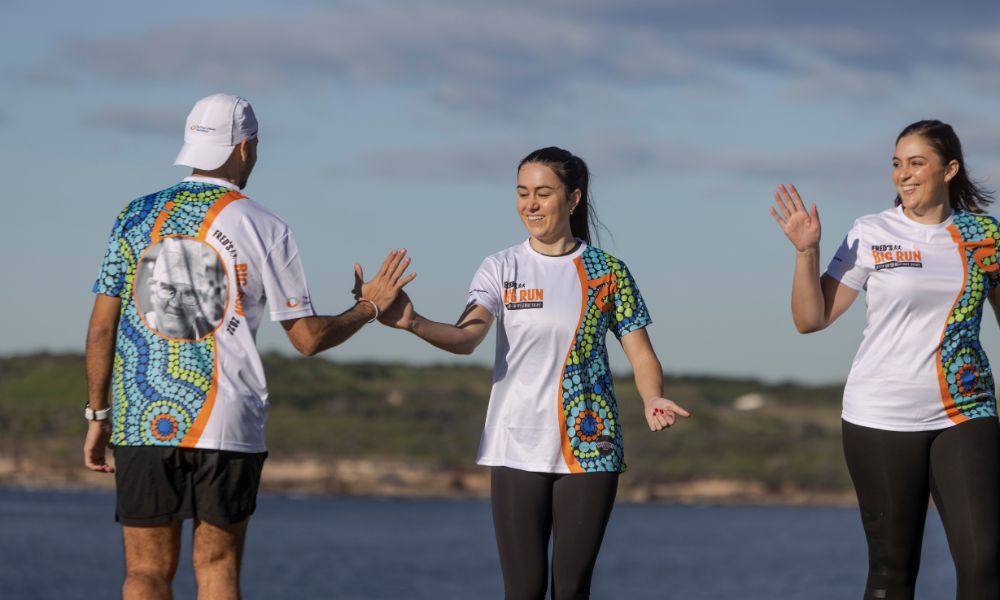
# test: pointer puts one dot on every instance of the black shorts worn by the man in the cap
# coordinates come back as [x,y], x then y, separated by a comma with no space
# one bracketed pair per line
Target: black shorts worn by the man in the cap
[158,484]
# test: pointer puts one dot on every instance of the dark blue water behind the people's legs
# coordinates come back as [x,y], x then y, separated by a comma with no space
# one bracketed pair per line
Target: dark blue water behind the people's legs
[65,545]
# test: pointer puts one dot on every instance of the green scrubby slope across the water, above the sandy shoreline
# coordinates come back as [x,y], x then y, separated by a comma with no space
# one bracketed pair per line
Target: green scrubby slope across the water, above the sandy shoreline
[435,414]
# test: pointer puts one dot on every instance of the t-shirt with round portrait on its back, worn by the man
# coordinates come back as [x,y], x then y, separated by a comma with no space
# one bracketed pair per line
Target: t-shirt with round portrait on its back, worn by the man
[194,266]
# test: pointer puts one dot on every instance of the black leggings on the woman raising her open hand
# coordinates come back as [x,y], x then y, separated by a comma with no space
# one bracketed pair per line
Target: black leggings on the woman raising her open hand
[894,471]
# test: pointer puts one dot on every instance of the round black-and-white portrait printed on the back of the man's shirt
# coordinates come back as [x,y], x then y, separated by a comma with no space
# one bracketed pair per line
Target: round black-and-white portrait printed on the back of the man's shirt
[181,289]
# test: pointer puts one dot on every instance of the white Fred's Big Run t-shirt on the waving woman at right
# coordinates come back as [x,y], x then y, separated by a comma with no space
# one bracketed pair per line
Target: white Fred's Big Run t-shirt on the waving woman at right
[920,365]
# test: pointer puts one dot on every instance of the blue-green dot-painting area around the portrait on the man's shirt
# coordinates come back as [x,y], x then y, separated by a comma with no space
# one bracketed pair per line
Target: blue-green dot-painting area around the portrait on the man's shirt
[159,385]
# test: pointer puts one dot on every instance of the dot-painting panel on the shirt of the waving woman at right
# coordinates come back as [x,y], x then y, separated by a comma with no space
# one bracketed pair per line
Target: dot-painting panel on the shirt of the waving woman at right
[965,372]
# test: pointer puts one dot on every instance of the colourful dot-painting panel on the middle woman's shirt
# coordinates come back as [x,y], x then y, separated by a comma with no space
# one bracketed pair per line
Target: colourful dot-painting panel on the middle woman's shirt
[588,398]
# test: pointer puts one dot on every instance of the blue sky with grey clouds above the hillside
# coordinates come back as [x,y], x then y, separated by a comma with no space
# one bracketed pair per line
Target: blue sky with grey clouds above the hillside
[400,124]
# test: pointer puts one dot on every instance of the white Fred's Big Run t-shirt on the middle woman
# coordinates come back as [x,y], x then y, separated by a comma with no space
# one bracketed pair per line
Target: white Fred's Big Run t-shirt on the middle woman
[552,408]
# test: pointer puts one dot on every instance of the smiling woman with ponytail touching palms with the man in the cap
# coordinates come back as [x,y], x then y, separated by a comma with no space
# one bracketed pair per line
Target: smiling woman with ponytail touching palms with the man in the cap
[553,438]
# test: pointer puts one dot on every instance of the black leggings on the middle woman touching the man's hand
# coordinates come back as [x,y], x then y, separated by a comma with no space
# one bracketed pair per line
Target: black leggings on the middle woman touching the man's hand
[527,507]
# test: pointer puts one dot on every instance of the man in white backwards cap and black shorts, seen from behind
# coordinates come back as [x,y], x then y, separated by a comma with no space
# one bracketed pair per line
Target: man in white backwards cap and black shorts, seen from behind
[182,289]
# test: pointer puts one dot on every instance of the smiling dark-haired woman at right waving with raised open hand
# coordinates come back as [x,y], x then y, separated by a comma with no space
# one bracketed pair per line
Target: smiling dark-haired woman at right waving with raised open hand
[920,410]
